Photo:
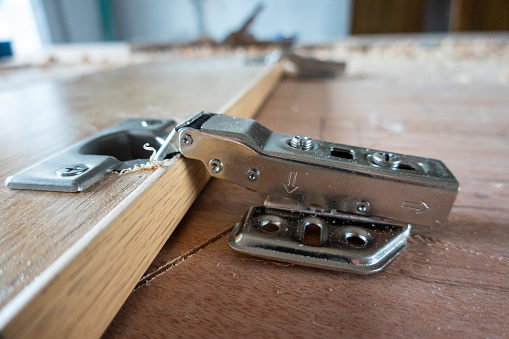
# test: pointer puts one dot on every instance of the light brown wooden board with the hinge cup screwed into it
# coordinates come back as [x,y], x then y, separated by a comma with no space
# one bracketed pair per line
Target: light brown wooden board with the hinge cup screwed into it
[70,260]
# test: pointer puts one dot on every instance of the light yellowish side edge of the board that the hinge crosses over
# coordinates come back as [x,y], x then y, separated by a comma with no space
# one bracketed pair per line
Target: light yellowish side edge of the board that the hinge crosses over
[81,292]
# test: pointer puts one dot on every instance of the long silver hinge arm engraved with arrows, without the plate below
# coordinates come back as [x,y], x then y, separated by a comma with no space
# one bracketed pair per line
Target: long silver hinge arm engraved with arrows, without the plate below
[328,176]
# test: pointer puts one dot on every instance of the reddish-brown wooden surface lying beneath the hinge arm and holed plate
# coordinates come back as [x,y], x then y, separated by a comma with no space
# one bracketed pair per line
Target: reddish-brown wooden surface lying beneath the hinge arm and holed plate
[451,281]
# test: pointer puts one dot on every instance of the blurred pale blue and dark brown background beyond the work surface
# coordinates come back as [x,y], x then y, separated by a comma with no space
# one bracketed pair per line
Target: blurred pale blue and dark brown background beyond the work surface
[28,25]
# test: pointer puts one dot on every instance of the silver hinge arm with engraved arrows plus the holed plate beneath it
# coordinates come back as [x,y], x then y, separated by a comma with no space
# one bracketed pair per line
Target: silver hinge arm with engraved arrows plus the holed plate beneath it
[330,205]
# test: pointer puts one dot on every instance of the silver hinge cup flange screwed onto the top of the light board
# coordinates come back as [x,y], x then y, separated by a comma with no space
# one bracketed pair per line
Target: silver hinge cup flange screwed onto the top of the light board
[83,164]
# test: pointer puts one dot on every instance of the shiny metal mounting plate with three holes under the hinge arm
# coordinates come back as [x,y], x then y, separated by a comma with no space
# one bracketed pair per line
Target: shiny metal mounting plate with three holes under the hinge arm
[319,241]
